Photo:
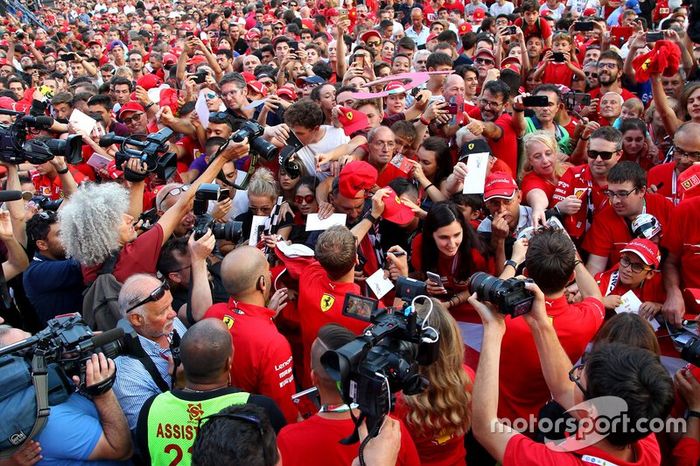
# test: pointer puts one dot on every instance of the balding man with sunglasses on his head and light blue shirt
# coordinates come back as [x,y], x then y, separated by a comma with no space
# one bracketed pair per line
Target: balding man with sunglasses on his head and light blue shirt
[146,304]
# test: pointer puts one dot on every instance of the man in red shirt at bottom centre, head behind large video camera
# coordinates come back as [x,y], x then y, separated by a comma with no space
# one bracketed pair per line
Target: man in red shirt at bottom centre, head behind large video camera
[316,441]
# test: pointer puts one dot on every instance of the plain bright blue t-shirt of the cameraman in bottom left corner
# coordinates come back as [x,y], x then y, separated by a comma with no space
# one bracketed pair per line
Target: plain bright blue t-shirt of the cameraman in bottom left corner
[71,434]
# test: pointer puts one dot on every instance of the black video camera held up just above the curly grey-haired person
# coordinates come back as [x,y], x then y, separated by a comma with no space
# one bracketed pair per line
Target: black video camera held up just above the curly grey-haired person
[151,150]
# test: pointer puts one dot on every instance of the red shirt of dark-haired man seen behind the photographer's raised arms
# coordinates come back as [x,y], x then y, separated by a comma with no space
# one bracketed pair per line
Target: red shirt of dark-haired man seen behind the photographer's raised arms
[521,383]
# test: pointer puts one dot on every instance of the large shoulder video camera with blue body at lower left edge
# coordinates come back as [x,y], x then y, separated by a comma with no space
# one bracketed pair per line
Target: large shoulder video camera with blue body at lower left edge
[37,372]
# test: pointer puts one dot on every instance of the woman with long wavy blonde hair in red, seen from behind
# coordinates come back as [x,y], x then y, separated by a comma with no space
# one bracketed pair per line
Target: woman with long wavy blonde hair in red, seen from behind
[439,417]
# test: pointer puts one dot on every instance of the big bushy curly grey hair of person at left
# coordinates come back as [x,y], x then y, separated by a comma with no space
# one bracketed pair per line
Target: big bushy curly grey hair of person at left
[89,222]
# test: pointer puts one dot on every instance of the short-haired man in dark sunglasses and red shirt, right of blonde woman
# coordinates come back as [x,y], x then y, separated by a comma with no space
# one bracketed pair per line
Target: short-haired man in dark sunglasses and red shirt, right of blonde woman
[582,186]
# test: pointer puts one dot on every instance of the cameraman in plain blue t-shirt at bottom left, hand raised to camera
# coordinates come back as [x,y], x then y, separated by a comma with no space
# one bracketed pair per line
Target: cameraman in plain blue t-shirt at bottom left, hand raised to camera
[85,428]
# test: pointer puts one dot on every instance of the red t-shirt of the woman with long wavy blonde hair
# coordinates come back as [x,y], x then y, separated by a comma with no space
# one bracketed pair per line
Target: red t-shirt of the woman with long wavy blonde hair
[436,449]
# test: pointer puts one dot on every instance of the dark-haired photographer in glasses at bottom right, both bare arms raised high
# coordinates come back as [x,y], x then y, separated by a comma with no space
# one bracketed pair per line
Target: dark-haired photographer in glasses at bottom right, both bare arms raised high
[634,375]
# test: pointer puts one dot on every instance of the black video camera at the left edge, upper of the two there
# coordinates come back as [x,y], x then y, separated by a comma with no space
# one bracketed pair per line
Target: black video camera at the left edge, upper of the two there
[16,149]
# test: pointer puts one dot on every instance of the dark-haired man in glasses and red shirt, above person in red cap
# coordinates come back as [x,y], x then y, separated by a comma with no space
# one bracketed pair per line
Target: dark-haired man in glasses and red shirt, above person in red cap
[611,228]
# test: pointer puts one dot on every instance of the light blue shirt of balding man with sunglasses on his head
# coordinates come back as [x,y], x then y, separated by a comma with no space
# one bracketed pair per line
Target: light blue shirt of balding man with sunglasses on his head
[134,385]
